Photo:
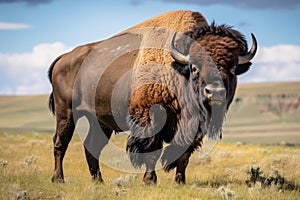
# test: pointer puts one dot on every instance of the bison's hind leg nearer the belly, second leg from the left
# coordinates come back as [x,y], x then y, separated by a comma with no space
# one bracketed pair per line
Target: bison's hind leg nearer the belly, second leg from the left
[95,141]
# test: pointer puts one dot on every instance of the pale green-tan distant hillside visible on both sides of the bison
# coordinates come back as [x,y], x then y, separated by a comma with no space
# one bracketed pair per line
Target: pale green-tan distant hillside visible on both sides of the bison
[265,108]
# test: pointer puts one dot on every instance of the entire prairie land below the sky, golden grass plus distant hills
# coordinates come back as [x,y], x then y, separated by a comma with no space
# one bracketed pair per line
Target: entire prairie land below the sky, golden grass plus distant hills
[258,157]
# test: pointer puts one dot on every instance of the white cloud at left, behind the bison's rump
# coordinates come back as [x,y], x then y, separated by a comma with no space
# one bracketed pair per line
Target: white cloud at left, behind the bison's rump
[26,73]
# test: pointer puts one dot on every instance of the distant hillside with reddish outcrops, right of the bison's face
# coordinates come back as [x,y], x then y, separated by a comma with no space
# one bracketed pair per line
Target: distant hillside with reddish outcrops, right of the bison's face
[265,113]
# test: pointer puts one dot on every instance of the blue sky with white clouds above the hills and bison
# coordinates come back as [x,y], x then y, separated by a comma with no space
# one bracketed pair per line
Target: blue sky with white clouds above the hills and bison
[34,32]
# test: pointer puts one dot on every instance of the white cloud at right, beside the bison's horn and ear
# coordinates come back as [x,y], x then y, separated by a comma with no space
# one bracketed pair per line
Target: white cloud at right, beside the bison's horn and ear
[274,64]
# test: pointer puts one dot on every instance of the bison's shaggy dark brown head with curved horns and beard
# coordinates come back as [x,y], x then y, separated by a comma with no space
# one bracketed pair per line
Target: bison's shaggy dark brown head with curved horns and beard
[216,56]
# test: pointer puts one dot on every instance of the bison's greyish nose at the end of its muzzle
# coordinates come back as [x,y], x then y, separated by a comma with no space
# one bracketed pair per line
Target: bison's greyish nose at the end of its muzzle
[214,94]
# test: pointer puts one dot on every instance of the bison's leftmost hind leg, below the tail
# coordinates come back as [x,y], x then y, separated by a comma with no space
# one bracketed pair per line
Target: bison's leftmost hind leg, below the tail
[64,132]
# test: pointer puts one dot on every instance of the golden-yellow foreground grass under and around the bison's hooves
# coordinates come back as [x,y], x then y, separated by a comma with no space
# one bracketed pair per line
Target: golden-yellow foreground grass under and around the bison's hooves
[26,163]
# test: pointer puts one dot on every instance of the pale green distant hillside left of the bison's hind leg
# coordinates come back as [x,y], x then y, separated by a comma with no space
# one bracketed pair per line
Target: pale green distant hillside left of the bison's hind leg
[25,114]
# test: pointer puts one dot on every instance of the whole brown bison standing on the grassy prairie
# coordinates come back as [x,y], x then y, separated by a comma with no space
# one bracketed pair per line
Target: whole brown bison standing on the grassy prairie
[165,81]
